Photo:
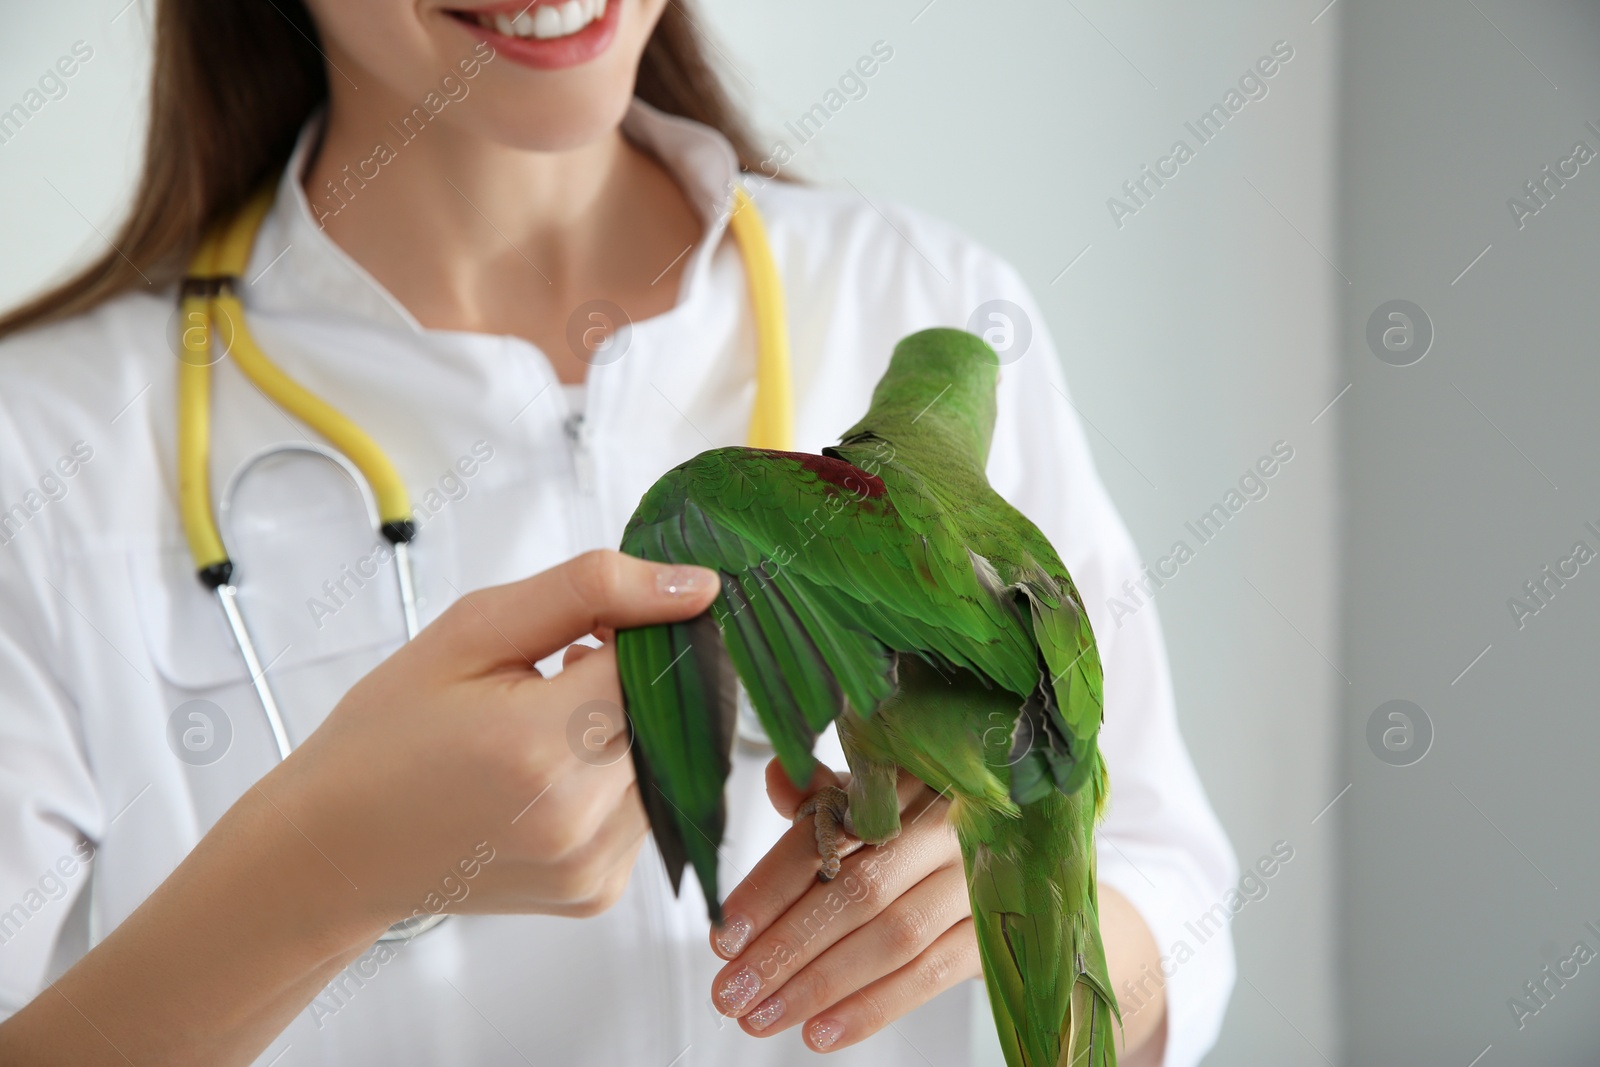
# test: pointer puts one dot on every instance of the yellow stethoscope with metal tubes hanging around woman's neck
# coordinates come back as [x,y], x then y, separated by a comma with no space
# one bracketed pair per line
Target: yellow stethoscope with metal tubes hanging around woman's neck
[212,314]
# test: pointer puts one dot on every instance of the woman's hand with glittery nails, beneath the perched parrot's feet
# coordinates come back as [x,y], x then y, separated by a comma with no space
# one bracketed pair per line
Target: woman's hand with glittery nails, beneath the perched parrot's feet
[855,954]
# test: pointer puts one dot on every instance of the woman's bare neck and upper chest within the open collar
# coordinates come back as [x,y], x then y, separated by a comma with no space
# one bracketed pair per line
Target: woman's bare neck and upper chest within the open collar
[476,236]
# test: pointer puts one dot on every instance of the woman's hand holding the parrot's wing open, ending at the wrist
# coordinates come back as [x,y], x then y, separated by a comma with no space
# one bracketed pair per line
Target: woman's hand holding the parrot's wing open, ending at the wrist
[458,778]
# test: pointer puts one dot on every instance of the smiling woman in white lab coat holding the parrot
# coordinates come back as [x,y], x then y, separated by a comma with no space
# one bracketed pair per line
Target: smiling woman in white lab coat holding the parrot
[473,201]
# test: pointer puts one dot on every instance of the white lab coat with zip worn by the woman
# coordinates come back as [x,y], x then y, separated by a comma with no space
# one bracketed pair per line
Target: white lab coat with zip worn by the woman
[106,634]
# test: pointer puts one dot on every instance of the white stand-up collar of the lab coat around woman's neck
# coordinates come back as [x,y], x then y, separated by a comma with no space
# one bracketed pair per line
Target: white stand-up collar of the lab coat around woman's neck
[298,270]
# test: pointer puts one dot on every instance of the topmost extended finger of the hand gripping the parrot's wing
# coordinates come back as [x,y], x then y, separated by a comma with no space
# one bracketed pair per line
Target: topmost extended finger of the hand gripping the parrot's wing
[522,623]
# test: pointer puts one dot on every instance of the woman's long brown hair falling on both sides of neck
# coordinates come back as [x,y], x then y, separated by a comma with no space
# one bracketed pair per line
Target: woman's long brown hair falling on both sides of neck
[233,86]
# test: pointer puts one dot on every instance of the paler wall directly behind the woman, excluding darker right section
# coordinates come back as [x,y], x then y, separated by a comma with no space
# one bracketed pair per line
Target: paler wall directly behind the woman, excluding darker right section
[1196,337]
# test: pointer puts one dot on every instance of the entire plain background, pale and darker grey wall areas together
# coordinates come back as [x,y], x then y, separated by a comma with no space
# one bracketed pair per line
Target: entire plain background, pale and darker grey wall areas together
[1226,316]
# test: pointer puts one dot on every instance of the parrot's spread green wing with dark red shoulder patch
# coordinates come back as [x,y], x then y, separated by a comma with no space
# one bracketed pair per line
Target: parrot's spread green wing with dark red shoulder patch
[828,572]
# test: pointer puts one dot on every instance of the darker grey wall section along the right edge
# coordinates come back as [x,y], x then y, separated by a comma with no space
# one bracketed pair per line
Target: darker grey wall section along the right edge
[1474,869]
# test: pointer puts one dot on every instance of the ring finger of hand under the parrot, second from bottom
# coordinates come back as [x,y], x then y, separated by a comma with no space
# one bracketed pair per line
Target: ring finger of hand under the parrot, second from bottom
[890,941]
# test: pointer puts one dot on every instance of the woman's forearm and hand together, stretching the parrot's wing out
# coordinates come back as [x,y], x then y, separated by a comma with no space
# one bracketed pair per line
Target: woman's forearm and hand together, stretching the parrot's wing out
[450,778]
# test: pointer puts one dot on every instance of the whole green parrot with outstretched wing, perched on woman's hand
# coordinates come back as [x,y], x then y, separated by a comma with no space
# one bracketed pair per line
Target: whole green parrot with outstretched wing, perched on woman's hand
[887,586]
